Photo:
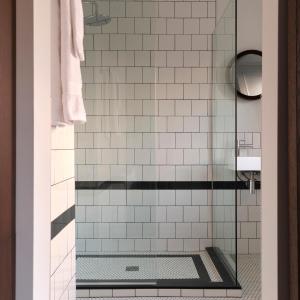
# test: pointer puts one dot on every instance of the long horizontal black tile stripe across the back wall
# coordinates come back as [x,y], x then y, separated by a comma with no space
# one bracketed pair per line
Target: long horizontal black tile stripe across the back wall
[163,185]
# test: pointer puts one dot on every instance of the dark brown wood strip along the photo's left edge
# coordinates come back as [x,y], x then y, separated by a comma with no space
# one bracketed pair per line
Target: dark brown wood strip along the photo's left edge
[7,149]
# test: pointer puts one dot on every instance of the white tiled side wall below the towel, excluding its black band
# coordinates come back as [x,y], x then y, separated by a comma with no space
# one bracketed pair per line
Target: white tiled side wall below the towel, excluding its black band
[63,197]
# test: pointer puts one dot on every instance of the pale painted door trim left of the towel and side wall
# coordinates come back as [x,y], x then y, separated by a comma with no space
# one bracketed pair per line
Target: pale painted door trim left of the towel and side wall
[33,150]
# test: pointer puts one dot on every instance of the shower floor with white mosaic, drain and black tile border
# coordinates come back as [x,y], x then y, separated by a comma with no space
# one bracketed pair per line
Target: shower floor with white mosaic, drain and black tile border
[195,270]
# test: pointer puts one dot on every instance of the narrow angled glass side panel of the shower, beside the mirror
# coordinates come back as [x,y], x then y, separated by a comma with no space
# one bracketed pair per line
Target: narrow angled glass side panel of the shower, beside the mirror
[224,138]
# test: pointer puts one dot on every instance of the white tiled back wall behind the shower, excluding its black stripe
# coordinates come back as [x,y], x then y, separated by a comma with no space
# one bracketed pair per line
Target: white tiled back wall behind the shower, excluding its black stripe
[147,90]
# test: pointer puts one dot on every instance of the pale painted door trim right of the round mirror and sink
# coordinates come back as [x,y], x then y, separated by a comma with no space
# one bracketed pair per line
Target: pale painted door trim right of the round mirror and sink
[269,151]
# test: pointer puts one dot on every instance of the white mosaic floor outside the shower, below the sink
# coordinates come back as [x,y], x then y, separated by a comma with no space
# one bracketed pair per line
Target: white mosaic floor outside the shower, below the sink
[249,278]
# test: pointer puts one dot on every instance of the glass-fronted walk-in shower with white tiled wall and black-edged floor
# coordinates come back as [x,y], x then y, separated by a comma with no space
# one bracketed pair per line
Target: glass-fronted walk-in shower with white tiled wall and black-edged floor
[155,187]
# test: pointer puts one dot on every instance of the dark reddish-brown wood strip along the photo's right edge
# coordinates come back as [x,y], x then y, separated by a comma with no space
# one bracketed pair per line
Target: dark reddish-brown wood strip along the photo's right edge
[294,145]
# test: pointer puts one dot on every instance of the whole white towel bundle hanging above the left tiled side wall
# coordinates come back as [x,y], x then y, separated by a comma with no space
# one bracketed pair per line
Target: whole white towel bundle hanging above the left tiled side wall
[67,52]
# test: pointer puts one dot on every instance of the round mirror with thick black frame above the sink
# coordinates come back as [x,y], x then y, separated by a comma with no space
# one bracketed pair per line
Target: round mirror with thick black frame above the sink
[249,74]
